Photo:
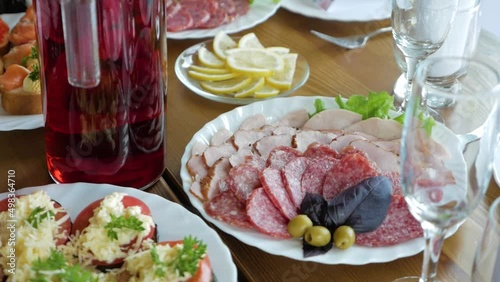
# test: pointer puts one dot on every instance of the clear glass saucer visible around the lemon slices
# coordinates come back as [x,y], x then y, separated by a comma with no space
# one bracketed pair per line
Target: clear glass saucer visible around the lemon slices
[187,58]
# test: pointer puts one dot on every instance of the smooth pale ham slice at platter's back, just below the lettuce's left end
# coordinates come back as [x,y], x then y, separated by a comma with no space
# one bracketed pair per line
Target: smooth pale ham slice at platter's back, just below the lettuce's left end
[332,119]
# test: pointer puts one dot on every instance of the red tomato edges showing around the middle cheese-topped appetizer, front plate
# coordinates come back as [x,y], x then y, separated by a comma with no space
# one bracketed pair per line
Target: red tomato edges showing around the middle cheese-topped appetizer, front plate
[83,220]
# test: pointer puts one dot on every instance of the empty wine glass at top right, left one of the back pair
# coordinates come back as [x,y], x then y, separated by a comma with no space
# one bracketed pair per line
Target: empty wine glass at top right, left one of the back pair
[419,28]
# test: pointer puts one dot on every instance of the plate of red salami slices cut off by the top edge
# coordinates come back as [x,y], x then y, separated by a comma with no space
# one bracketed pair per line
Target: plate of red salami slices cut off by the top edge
[204,18]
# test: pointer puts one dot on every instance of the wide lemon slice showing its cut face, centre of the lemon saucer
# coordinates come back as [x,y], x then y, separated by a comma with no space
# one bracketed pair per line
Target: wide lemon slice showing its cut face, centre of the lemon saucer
[254,62]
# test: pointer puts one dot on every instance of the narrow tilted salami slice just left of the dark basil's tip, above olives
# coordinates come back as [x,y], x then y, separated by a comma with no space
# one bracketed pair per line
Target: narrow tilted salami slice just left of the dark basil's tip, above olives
[292,175]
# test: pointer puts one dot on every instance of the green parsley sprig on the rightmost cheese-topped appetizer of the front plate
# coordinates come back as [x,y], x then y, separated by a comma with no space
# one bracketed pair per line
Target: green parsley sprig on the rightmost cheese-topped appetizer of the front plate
[186,259]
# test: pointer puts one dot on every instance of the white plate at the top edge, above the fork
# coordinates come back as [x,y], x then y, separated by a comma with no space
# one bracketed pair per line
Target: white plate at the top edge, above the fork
[342,10]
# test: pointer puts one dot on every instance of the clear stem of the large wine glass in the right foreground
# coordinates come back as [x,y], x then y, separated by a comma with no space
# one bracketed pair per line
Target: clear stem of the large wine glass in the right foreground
[434,238]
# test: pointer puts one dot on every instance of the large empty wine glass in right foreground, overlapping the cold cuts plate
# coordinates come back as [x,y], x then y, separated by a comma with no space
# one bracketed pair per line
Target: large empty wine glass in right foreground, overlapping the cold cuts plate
[444,172]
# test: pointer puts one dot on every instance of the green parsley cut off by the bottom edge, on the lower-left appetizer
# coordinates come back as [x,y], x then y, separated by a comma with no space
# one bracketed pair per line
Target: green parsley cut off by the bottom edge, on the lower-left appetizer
[55,266]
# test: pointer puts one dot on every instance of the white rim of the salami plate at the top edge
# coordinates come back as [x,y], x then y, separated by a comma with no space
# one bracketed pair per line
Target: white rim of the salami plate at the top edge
[259,11]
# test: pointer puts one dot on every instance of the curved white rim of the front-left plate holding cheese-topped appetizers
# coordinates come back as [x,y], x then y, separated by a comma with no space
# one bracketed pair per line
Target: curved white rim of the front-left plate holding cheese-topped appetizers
[221,257]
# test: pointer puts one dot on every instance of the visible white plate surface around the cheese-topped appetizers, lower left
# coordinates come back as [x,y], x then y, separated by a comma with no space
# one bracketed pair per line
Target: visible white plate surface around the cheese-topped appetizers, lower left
[174,221]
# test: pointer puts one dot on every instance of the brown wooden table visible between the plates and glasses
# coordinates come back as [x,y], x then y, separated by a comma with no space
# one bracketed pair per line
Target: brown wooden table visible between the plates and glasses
[333,71]
